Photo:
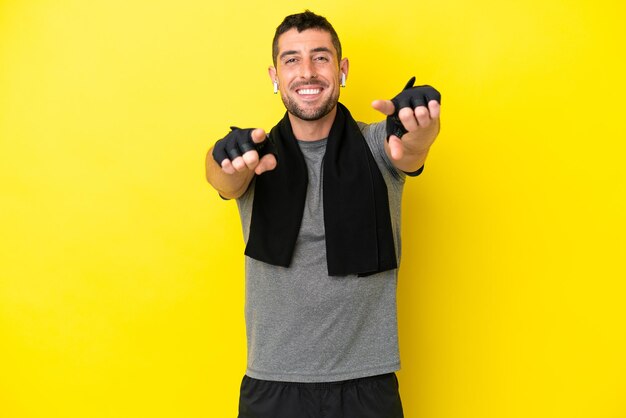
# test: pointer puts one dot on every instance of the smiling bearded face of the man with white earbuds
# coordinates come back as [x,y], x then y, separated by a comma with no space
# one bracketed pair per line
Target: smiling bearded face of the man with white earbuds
[308,73]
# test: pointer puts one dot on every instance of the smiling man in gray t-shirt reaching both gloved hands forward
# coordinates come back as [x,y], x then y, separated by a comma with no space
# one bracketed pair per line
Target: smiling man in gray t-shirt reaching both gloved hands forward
[319,200]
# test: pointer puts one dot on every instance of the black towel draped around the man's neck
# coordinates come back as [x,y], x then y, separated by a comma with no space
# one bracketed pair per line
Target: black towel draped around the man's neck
[357,222]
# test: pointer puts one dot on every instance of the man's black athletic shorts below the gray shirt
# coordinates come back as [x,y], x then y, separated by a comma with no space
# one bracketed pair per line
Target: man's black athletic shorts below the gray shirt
[368,397]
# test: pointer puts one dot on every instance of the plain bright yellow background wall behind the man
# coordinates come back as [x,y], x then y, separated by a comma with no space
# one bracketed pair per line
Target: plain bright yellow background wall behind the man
[121,271]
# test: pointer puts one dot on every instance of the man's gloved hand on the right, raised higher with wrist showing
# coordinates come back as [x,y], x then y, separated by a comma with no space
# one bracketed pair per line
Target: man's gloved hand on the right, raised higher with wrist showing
[412,121]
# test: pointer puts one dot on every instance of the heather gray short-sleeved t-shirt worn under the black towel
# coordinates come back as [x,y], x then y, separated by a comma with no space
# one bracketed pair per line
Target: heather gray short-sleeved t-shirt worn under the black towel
[305,326]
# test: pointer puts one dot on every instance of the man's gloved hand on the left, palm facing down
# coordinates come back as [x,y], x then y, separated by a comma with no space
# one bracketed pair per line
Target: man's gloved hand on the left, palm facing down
[245,150]
